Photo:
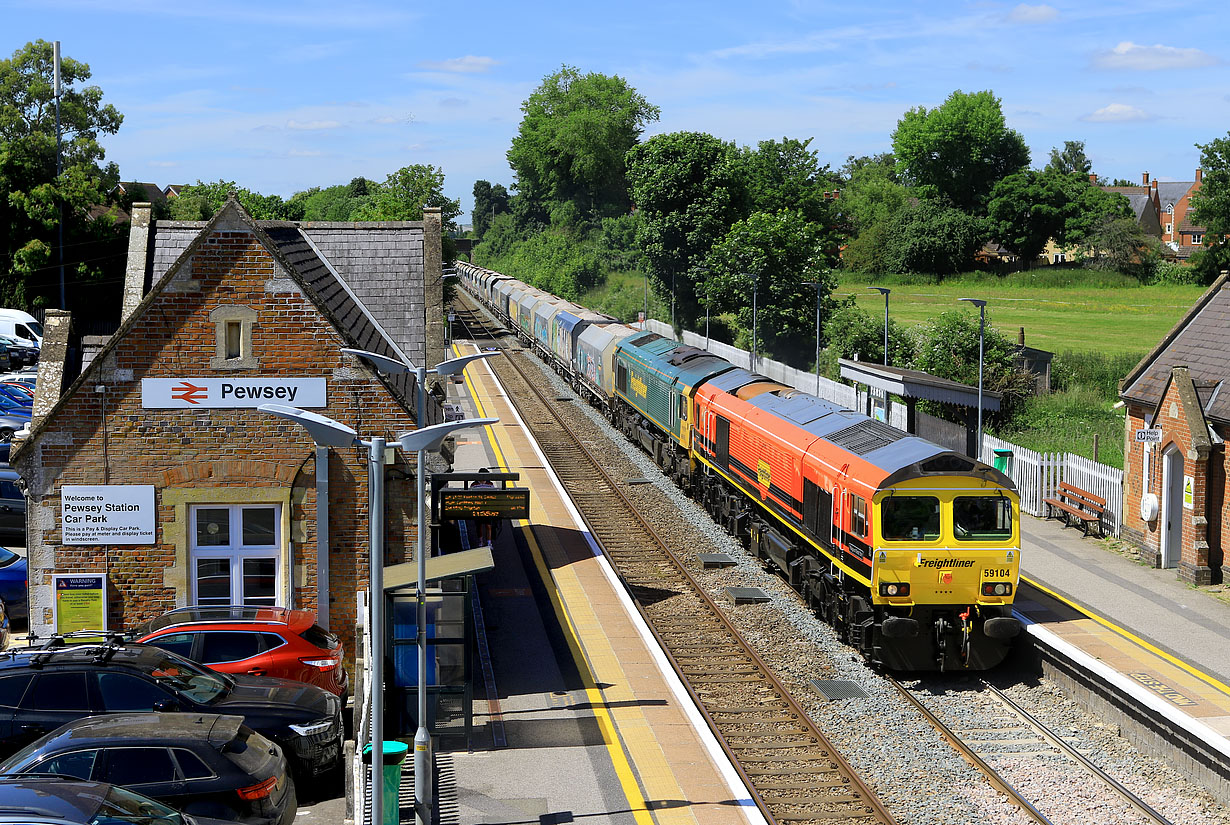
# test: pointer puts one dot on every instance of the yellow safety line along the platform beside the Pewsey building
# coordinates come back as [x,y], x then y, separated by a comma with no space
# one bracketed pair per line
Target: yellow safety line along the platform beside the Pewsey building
[606,724]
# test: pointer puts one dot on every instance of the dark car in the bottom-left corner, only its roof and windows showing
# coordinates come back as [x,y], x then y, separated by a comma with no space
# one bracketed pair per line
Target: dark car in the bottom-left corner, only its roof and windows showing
[57,801]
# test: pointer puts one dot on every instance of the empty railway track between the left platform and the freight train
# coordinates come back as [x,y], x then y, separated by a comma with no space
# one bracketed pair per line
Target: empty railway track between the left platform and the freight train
[794,773]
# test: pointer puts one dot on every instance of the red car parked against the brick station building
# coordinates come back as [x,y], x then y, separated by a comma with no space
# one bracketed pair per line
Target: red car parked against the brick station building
[258,641]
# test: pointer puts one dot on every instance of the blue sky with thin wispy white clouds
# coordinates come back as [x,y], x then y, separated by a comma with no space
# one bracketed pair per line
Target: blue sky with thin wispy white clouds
[284,97]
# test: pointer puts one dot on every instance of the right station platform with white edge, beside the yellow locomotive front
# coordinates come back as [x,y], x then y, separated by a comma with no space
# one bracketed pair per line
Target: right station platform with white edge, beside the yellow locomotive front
[1141,631]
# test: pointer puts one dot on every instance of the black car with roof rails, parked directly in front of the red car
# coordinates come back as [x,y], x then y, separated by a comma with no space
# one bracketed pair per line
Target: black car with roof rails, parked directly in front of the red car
[42,689]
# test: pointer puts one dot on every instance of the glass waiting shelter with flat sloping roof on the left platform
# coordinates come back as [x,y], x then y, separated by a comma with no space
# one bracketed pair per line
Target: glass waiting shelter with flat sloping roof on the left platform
[450,642]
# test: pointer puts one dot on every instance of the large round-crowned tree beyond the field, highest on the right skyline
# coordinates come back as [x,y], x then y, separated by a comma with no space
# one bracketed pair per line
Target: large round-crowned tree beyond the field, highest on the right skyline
[960,149]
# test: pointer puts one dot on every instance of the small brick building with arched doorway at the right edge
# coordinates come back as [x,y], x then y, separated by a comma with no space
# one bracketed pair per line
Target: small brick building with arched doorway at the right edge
[1175,502]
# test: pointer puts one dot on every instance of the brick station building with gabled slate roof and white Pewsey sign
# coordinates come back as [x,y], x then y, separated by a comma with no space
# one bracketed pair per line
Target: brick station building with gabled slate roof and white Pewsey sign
[221,318]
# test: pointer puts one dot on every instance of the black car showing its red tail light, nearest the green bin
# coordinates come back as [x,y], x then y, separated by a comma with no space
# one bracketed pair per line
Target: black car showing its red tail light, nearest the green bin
[201,764]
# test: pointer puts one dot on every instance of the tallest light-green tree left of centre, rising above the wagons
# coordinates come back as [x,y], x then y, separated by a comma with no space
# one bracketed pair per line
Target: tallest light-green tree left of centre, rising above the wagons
[573,142]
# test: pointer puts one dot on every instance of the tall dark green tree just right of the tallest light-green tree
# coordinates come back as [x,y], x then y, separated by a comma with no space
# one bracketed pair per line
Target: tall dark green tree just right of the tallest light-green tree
[689,191]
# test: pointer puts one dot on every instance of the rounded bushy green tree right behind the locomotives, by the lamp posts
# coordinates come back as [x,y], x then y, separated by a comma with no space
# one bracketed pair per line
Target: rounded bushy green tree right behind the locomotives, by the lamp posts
[778,254]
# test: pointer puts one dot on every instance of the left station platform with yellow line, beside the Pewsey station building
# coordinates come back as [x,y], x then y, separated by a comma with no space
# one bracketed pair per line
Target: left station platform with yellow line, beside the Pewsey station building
[589,724]
